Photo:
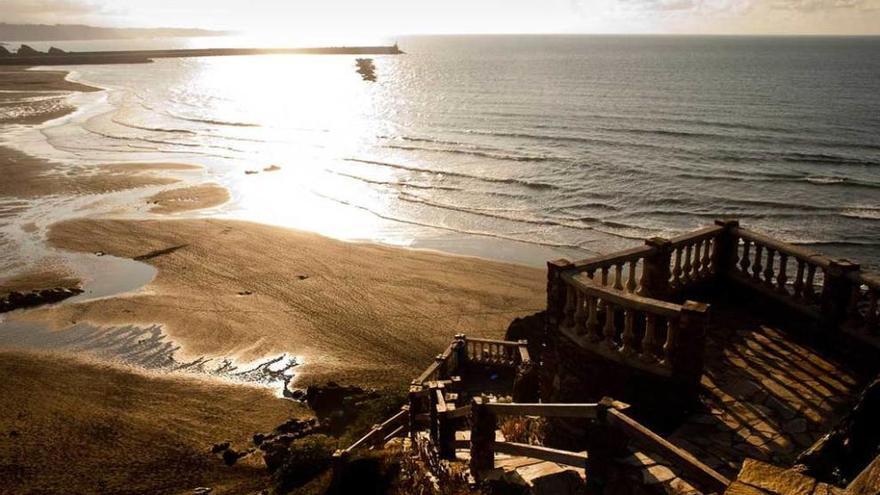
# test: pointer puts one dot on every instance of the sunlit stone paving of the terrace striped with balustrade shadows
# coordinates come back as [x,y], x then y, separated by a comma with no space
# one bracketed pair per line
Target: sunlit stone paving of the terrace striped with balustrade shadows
[765,396]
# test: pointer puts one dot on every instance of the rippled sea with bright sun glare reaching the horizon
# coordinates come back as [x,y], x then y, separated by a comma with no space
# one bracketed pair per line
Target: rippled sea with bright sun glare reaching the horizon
[520,148]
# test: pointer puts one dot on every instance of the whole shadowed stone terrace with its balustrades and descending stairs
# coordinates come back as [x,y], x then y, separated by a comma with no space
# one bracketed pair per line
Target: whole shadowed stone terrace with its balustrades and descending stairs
[719,361]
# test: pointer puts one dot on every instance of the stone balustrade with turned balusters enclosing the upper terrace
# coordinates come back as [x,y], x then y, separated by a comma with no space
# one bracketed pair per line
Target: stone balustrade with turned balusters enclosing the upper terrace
[621,305]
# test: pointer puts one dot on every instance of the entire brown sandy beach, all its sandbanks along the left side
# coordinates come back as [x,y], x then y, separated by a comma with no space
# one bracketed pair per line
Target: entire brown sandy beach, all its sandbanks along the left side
[352,312]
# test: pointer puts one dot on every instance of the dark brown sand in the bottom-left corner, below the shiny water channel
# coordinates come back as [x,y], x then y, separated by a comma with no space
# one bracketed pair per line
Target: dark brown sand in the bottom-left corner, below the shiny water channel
[75,426]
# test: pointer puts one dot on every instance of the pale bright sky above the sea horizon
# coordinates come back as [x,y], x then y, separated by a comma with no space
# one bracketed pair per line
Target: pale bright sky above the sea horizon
[353,18]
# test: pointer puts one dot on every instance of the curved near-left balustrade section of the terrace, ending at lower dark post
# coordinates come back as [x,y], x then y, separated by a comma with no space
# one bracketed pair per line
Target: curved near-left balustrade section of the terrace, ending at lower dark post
[653,335]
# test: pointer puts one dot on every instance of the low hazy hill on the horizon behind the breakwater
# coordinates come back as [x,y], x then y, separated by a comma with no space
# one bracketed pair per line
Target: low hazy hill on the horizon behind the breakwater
[60,32]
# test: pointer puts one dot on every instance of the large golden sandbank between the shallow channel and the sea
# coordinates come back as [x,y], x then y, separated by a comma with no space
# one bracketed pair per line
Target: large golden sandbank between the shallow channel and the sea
[356,313]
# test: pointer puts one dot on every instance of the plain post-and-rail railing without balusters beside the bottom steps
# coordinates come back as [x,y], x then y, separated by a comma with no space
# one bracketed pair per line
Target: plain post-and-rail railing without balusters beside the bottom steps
[610,433]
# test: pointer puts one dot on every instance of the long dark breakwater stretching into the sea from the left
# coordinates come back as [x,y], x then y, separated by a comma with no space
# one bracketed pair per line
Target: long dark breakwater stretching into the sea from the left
[32,57]
